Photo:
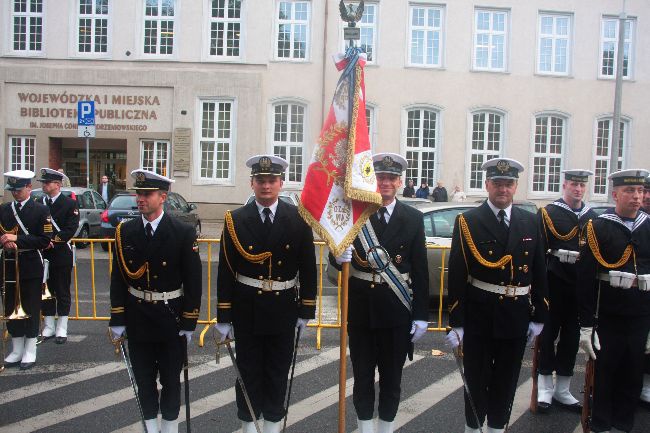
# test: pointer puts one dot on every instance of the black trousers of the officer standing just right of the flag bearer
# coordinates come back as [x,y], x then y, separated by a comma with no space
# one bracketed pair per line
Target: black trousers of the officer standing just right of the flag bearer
[492,370]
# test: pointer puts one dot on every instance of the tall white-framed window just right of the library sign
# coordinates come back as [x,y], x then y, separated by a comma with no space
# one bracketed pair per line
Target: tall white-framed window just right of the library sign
[216,140]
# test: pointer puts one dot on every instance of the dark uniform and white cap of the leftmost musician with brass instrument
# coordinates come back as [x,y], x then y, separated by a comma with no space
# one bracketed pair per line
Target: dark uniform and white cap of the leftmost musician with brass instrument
[31,224]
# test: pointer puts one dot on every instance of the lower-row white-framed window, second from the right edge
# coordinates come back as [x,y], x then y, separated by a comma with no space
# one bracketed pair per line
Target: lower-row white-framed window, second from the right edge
[546,192]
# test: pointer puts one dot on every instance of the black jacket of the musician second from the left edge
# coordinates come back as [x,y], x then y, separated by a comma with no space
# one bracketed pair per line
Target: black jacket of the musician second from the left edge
[65,213]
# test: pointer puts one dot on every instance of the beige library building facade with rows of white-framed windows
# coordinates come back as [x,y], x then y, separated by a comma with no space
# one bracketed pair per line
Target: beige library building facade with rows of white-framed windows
[192,88]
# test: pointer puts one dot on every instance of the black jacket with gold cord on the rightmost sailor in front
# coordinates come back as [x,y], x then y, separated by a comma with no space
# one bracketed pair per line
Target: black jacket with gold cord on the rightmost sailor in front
[612,237]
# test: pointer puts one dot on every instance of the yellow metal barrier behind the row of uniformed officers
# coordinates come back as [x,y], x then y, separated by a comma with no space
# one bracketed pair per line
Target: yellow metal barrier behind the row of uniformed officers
[208,320]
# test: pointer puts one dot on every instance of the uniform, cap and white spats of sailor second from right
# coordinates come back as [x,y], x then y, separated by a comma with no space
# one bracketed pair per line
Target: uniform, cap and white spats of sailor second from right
[562,230]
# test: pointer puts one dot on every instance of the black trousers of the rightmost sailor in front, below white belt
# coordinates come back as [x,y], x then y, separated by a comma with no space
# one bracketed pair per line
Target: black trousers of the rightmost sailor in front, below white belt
[618,377]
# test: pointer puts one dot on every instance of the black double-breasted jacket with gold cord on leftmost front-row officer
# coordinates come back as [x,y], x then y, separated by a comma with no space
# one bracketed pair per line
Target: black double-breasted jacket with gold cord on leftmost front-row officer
[173,259]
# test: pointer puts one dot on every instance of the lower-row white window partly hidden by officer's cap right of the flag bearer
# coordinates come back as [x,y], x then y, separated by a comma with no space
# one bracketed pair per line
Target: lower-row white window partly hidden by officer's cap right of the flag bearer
[485,152]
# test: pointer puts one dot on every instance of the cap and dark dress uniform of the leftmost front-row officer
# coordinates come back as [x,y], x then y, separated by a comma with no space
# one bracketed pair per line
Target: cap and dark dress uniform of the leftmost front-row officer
[156,294]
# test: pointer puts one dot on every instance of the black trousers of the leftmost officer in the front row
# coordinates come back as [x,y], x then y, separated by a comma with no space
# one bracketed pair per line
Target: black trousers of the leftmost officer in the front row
[153,359]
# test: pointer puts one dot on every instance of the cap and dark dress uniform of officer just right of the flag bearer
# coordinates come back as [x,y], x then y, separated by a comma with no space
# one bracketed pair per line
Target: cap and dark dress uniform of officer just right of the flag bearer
[497,297]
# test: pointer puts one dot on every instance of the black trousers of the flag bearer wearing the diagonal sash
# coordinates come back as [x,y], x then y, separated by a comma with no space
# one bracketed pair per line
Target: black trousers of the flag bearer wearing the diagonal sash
[383,349]
